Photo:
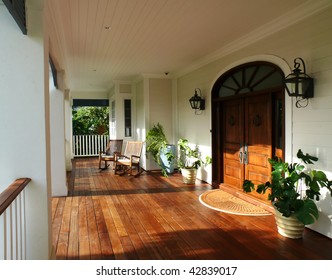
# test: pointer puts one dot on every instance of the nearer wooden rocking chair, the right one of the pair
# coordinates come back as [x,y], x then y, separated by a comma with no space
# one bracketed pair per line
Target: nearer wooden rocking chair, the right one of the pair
[130,159]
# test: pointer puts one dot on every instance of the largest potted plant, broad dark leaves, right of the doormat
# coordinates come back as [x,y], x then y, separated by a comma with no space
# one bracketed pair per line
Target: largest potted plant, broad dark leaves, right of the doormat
[293,189]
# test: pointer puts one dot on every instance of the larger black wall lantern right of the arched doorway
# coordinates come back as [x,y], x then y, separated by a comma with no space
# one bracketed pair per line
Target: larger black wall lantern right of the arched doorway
[298,84]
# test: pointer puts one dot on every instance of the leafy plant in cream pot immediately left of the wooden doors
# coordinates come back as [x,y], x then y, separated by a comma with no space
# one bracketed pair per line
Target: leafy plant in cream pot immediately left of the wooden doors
[189,160]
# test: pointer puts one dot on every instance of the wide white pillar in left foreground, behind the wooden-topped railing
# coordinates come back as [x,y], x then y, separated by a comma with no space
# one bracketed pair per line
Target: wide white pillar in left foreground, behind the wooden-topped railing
[23,149]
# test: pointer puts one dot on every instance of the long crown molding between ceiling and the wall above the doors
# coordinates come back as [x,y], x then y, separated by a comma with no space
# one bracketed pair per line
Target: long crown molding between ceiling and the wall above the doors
[290,18]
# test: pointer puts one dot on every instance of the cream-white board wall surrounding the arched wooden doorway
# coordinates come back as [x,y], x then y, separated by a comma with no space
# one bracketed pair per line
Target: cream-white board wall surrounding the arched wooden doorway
[307,128]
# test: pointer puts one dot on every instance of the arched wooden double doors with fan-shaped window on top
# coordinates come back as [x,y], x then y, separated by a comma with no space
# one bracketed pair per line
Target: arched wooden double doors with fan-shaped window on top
[247,124]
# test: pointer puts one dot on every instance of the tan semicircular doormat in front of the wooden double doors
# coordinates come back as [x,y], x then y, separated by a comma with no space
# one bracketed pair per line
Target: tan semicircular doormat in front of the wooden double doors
[222,201]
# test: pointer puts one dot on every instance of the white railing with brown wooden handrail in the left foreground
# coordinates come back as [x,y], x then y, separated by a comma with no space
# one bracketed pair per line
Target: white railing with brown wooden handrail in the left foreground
[13,221]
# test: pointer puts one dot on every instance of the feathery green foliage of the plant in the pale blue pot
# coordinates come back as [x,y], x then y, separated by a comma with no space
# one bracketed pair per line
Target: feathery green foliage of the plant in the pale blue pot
[156,143]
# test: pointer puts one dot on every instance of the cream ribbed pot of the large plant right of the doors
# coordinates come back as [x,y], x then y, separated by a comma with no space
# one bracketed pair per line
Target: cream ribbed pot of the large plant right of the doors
[289,227]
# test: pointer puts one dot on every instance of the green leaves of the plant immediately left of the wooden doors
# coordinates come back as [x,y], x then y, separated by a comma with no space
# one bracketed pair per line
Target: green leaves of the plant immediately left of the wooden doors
[190,157]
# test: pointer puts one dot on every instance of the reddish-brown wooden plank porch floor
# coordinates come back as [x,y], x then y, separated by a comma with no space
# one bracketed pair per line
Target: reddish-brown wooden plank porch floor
[153,217]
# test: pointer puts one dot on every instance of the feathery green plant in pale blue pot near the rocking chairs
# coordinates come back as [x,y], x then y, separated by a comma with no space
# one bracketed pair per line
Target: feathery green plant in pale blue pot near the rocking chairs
[162,152]
